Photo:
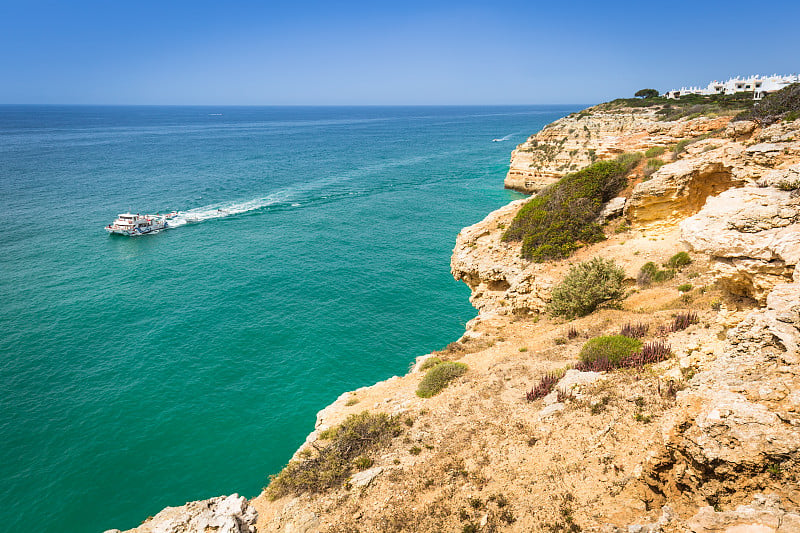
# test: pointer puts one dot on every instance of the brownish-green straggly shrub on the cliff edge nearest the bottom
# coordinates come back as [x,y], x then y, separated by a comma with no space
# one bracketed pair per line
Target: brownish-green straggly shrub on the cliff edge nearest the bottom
[350,443]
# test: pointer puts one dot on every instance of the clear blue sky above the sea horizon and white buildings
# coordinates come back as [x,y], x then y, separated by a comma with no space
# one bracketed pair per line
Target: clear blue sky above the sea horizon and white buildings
[402,52]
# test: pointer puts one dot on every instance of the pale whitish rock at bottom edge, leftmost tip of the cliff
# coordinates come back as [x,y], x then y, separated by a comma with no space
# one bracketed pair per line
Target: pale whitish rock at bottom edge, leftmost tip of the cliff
[224,514]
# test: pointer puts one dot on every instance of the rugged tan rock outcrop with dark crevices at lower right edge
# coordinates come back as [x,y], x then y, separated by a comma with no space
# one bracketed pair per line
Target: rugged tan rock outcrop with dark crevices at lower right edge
[736,429]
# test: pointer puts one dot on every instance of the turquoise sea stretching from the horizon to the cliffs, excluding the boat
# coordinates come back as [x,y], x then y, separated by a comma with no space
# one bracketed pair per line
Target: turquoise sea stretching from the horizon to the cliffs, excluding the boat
[137,373]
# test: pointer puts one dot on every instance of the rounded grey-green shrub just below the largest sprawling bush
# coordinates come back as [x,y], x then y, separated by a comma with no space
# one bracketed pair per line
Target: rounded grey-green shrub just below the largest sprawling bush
[587,285]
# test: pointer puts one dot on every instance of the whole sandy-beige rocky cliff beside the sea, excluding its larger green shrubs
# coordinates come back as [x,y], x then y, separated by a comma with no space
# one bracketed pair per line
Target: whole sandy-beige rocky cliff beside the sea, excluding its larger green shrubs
[705,441]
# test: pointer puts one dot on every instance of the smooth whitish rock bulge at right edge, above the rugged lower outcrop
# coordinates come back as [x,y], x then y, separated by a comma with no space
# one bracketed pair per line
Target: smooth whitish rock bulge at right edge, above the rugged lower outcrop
[753,236]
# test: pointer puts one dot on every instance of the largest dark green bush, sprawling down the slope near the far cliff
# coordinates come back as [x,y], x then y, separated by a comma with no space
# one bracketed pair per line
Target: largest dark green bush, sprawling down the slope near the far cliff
[558,217]
